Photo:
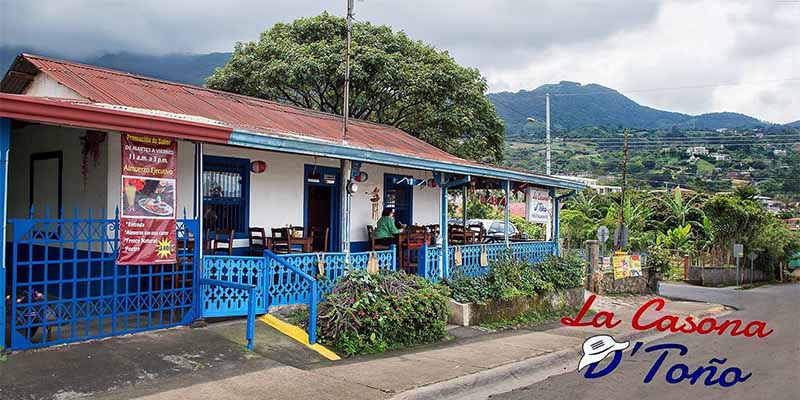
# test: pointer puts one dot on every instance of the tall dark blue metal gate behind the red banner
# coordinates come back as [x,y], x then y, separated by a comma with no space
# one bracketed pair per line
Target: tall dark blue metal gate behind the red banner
[66,286]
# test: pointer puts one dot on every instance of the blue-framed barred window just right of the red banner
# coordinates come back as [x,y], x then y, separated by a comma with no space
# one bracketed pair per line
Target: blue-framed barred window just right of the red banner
[226,194]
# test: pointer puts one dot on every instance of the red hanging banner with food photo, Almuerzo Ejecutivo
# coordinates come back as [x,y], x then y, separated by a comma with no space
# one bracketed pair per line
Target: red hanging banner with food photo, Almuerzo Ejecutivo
[147,223]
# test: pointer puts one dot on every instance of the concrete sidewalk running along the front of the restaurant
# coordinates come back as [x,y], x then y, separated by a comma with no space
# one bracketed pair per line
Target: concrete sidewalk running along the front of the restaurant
[211,363]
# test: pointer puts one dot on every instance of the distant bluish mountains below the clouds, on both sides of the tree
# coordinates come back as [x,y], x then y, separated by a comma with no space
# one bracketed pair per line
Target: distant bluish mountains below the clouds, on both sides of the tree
[572,105]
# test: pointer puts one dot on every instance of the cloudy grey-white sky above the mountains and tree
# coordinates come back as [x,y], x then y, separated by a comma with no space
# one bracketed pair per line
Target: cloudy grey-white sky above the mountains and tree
[692,56]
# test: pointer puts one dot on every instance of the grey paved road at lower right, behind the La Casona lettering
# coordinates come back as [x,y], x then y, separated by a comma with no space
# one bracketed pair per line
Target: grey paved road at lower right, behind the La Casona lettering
[774,361]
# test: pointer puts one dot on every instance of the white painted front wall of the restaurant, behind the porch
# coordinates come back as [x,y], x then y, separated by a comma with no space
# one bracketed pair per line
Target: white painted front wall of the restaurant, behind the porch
[276,196]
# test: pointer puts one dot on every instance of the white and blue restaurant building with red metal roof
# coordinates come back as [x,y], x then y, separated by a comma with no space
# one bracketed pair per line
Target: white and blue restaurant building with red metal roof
[247,170]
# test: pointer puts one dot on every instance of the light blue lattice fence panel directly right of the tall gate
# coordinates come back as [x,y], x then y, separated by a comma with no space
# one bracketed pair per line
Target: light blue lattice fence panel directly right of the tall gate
[225,301]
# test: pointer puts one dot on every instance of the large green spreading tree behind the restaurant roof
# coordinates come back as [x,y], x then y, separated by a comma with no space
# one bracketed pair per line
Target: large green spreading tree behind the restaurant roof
[394,80]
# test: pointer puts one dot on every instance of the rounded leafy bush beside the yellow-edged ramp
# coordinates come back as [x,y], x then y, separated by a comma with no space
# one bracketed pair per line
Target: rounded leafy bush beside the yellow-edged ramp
[371,313]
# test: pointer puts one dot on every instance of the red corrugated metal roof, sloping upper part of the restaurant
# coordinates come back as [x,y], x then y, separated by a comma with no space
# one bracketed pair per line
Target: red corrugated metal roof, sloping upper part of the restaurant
[102,85]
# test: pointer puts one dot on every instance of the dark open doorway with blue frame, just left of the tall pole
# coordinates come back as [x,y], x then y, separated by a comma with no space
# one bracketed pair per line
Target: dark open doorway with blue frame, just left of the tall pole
[322,206]
